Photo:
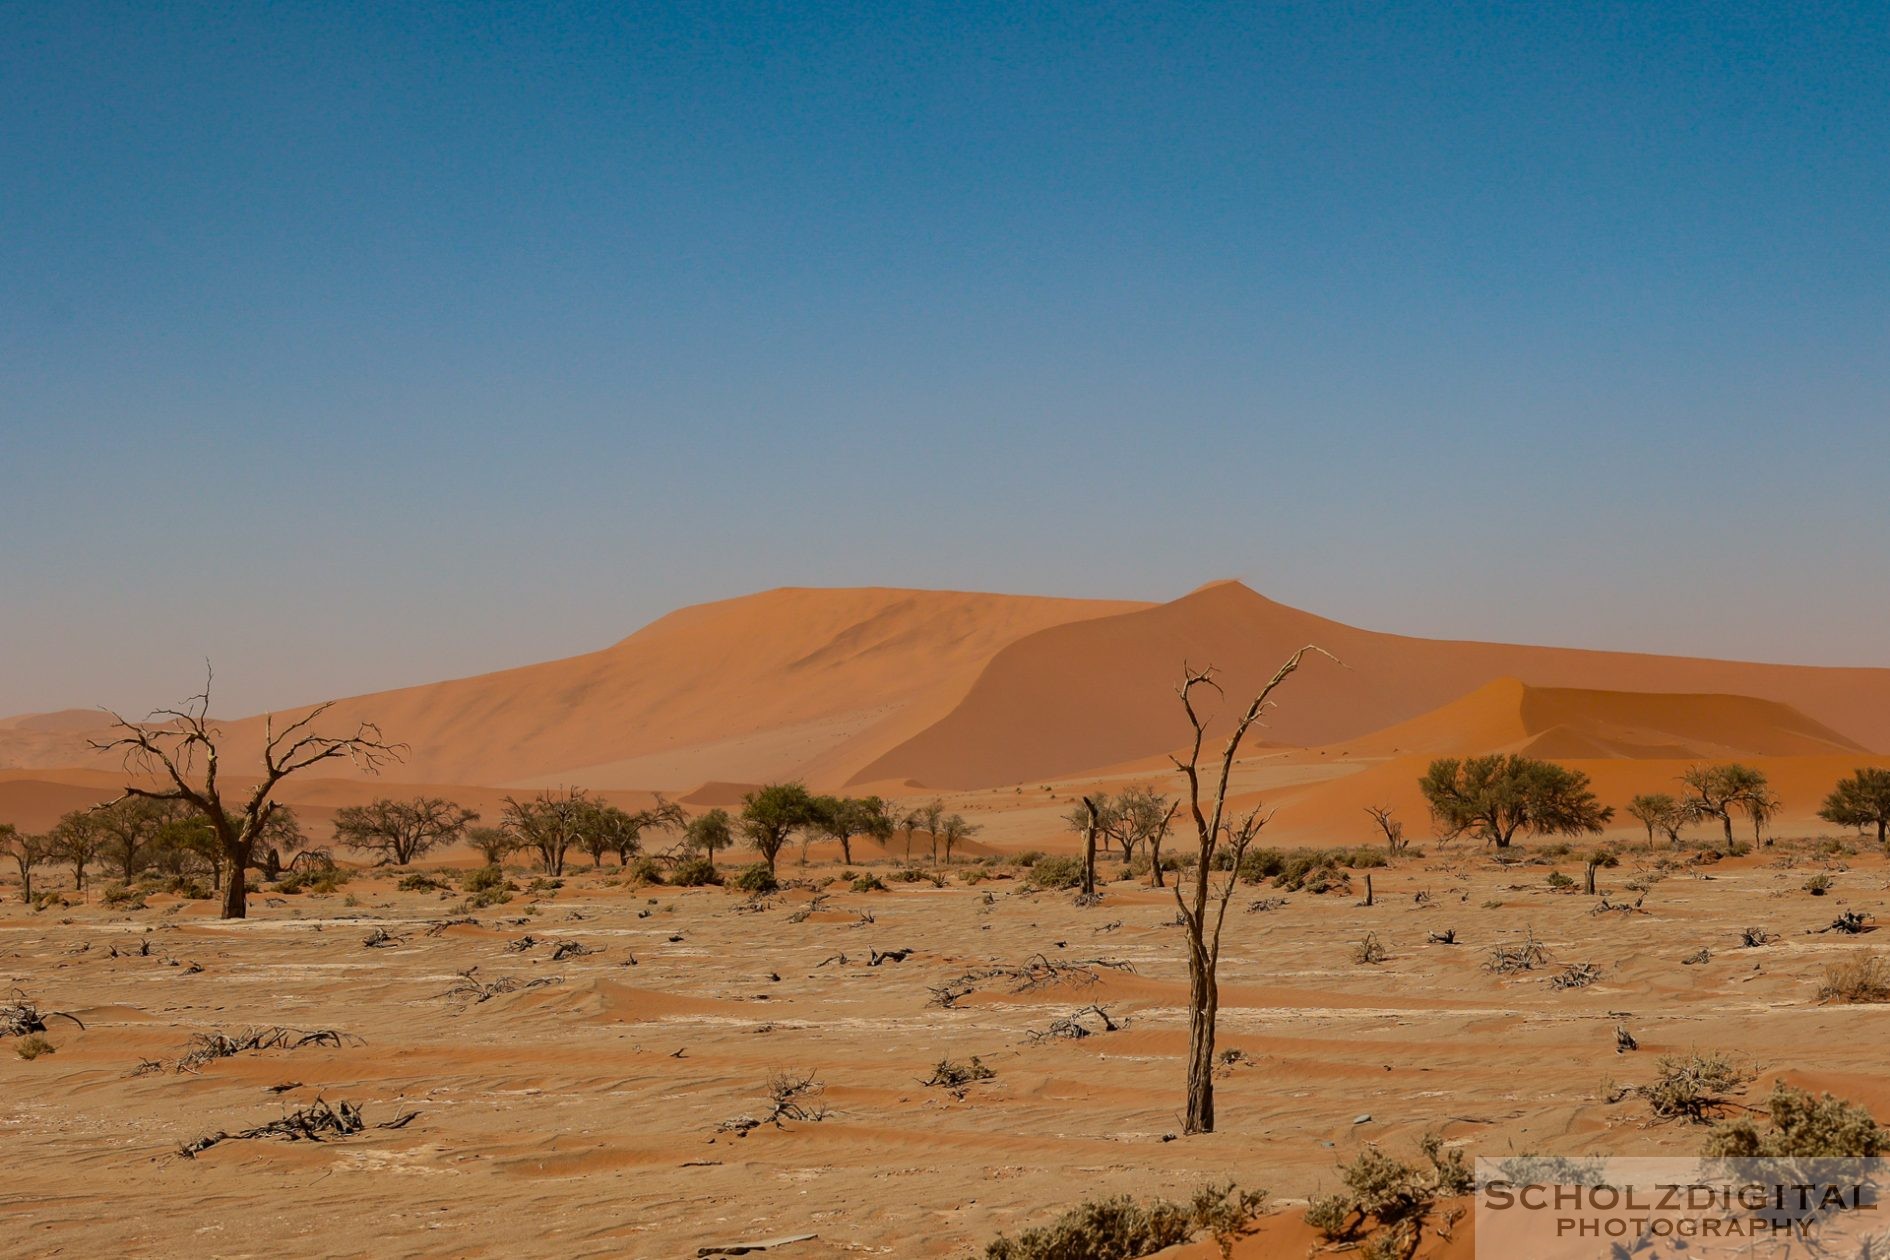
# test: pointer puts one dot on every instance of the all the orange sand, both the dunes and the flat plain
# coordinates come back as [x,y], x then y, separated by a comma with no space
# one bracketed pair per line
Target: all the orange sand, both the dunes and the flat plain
[589,1115]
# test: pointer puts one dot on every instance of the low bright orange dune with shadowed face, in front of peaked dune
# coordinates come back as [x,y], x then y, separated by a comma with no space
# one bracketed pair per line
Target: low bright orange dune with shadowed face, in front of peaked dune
[1572,723]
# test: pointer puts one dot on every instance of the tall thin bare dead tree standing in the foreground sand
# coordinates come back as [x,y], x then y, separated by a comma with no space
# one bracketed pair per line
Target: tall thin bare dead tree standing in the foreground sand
[1205,904]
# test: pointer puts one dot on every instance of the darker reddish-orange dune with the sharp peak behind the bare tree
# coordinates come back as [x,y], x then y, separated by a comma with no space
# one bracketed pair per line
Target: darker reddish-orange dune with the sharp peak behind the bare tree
[1101,692]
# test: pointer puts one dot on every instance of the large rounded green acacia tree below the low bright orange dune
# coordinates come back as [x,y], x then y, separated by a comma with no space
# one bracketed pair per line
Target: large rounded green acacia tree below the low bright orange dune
[1498,796]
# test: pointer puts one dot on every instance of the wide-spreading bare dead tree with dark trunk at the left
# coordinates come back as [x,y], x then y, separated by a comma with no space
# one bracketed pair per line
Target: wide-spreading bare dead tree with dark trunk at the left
[179,749]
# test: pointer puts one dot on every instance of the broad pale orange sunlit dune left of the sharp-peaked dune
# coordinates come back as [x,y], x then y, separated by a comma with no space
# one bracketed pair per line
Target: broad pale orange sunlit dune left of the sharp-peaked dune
[791,683]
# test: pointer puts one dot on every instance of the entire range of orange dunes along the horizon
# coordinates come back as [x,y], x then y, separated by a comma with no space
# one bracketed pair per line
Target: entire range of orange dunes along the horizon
[940,690]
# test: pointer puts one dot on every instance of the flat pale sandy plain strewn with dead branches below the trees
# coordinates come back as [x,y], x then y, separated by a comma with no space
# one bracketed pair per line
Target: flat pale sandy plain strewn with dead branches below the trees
[581,1117]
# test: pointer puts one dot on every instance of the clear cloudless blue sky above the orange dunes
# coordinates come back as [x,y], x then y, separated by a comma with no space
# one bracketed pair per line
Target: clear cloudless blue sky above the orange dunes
[371,345]
